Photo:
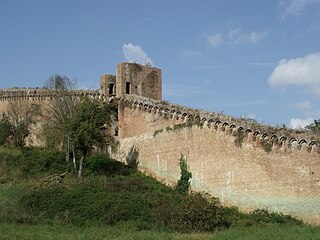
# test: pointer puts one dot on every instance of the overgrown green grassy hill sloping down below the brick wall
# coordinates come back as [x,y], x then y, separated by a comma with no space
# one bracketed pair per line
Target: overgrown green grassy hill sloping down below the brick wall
[40,198]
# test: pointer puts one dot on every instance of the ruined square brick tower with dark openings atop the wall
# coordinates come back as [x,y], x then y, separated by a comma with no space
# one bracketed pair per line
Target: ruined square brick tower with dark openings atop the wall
[134,79]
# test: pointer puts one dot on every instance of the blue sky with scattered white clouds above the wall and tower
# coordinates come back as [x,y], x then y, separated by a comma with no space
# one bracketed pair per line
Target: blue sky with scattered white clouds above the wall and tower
[251,58]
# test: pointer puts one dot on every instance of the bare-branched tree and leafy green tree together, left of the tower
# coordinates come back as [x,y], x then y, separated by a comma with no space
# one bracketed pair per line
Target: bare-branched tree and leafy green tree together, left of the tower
[76,124]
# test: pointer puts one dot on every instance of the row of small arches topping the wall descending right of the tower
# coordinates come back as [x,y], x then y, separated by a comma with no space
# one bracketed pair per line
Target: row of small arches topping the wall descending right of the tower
[220,121]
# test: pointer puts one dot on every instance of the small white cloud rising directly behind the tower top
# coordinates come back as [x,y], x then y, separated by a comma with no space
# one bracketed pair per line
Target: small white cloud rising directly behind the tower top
[134,53]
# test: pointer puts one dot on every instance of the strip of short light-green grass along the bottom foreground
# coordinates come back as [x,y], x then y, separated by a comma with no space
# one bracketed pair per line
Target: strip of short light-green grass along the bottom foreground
[123,232]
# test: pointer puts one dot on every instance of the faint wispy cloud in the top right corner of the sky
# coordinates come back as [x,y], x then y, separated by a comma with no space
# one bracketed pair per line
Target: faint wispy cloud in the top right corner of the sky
[294,7]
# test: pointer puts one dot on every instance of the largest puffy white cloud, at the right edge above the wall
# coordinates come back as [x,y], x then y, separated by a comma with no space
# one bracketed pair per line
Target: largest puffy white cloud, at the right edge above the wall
[303,72]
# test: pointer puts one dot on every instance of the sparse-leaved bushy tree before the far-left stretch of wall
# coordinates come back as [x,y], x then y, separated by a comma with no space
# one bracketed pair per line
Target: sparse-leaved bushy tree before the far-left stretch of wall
[21,116]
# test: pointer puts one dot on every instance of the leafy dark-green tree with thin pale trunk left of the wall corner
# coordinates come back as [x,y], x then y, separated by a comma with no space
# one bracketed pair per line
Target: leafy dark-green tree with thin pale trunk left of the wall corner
[86,128]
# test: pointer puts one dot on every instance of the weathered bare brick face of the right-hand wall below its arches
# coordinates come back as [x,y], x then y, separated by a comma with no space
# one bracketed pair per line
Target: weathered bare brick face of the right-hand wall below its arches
[286,179]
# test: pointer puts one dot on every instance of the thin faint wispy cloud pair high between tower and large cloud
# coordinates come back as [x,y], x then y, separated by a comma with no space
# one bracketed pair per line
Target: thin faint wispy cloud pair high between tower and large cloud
[238,36]
